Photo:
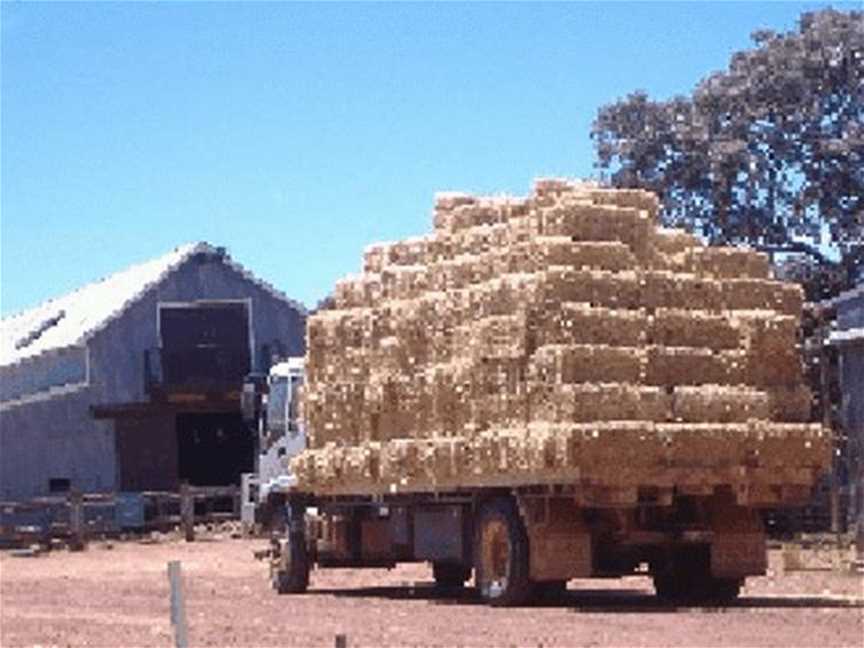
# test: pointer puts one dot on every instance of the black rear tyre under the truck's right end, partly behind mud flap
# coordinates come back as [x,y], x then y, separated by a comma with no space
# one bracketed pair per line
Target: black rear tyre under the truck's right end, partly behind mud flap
[686,580]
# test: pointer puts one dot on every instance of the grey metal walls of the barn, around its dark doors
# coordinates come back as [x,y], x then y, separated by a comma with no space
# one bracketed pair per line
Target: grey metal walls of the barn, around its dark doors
[59,438]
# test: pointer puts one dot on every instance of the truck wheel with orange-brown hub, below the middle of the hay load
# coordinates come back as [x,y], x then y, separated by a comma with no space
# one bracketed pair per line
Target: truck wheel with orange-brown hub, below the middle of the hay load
[501,554]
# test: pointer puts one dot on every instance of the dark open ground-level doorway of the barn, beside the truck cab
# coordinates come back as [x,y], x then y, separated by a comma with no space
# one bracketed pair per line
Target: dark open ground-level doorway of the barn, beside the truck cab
[213,448]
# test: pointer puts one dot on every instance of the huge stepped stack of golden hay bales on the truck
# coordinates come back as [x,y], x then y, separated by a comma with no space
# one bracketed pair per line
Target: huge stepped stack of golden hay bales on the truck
[550,339]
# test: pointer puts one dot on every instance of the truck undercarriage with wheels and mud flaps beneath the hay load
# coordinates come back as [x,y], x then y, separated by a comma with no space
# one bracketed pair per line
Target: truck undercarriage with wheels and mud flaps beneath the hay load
[525,543]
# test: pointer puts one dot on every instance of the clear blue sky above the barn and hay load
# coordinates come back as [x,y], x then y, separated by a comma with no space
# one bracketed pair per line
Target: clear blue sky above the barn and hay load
[297,134]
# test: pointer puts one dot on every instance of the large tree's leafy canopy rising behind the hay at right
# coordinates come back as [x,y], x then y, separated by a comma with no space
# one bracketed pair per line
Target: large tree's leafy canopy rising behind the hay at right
[769,152]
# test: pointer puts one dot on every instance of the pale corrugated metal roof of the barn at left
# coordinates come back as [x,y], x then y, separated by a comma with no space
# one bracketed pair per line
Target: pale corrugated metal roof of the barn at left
[73,318]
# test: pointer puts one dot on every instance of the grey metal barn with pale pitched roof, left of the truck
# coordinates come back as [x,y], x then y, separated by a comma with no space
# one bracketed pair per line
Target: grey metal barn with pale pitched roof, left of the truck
[133,383]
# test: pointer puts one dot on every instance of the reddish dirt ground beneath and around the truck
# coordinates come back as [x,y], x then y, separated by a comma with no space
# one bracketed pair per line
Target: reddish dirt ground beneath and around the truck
[119,596]
